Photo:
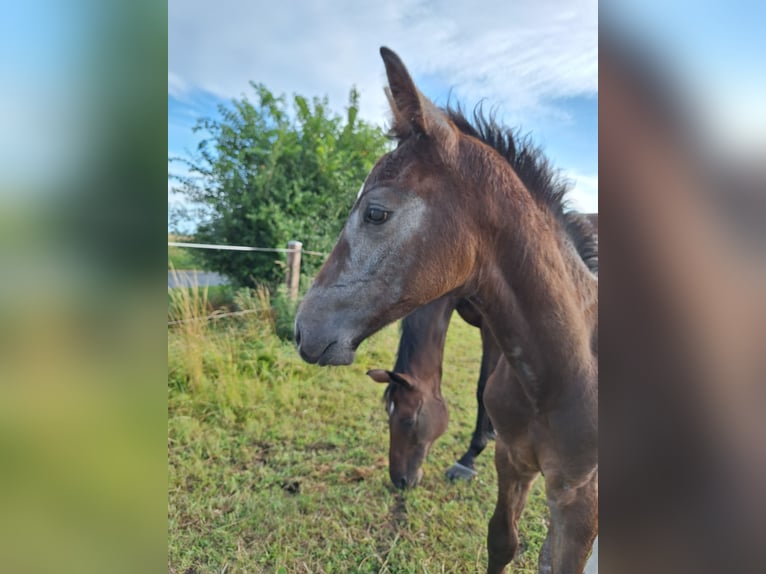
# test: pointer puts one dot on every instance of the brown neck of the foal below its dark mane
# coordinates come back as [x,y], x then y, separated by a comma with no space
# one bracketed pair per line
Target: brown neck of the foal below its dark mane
[538,297]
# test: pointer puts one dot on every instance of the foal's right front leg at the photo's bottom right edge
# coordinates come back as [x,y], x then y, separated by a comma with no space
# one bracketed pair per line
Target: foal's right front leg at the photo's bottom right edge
[574,524]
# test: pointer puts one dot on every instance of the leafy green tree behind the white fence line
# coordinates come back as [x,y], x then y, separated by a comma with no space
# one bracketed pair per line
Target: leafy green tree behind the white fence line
[265,175]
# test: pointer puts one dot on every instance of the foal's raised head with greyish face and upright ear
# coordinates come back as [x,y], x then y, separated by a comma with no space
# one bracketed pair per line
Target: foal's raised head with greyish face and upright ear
[405,242]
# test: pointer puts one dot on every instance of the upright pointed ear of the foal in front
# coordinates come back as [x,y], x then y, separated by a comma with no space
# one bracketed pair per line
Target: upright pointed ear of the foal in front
[413,112]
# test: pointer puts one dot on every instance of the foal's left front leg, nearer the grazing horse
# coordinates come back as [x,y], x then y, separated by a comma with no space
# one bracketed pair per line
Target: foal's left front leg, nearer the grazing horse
[513,488]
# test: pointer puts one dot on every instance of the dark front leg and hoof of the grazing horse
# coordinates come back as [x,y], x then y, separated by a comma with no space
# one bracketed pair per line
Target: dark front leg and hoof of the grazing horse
[464,468]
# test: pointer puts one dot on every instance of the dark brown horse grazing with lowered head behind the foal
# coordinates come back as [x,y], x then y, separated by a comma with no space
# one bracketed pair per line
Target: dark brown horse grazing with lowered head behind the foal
[417,412]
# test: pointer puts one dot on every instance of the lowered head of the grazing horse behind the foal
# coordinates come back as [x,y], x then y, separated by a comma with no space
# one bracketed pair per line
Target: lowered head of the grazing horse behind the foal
[416,418]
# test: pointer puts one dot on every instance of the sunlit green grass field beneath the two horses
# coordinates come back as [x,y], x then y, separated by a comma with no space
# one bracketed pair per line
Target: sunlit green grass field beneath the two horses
[279,466]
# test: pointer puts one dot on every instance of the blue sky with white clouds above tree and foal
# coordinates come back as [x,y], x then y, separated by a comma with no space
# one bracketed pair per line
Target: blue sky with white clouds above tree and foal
[537,63]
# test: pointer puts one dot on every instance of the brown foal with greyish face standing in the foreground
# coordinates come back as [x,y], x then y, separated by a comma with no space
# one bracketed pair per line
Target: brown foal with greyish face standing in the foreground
[446,213]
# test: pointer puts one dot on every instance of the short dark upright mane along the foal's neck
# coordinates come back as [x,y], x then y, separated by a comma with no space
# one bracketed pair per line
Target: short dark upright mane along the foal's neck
[544,183]
